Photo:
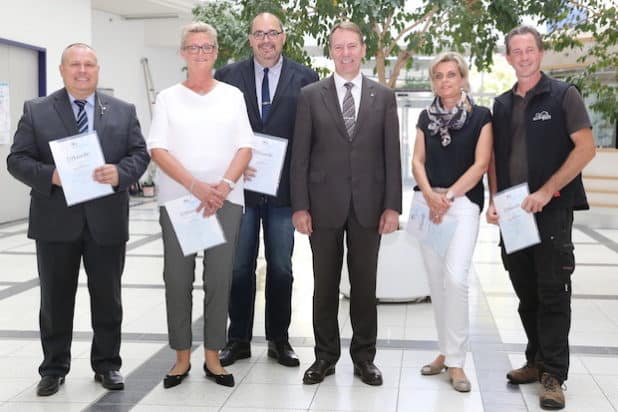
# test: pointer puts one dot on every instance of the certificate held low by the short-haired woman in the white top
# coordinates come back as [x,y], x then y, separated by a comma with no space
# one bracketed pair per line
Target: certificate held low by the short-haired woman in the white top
[193,231]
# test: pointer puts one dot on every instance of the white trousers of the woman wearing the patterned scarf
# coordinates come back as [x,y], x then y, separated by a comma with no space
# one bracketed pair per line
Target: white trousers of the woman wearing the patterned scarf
[448,280]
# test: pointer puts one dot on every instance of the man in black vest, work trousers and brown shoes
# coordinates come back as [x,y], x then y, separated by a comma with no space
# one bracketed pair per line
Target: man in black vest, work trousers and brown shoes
[542,136]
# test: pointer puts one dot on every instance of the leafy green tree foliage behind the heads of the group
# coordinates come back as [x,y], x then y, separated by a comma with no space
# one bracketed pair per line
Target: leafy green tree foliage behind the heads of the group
[397,30]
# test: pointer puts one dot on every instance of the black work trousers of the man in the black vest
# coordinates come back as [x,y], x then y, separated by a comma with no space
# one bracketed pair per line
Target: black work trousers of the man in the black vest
[541,277]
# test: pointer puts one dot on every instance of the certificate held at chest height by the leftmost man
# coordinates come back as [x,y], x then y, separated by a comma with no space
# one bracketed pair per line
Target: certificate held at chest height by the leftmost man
[76,157]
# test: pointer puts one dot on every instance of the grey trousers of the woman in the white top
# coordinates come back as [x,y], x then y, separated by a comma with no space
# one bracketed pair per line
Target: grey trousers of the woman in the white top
[179,275]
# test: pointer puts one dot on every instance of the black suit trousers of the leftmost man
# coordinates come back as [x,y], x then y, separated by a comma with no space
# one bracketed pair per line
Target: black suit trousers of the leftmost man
[58,264]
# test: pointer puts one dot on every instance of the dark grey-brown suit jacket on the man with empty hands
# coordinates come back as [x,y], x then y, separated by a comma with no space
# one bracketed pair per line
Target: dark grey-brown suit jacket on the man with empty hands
[329,171]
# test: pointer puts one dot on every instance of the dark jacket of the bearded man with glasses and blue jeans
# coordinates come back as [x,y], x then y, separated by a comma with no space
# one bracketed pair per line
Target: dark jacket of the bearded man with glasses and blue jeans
[281,117]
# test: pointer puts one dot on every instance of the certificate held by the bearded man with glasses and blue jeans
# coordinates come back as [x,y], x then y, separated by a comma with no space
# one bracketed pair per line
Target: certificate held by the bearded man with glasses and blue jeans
[267,160]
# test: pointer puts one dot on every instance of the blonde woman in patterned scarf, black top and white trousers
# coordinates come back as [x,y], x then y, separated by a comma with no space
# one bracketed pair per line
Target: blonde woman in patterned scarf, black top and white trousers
[451,154]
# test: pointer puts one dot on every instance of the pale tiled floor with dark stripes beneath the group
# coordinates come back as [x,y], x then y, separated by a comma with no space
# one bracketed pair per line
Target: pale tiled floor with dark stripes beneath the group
[406,340]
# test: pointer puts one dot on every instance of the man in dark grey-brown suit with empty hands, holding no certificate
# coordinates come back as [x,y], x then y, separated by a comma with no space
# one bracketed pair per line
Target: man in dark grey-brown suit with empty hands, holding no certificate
[345,179]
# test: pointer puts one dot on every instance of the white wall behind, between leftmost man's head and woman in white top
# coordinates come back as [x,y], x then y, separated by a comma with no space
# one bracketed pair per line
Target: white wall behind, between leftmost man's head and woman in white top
[120,46]
